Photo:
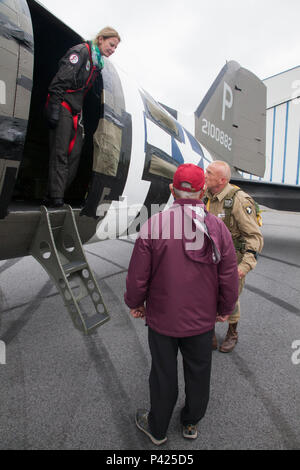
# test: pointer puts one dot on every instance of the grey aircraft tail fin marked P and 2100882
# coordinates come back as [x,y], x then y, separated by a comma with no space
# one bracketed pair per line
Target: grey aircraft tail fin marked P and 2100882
[231,119]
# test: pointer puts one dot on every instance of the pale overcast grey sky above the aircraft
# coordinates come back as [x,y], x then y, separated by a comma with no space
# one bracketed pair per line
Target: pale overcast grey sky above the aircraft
[175,48]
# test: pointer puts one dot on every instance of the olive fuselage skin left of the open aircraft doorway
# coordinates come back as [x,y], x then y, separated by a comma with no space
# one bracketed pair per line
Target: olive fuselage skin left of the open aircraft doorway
[16,58]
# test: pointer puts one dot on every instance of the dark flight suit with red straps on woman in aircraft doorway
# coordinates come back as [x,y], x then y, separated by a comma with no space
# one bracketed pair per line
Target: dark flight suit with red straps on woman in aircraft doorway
[75,76]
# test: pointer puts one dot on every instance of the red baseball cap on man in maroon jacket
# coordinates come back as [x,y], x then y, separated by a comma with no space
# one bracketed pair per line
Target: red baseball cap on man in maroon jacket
[189,173]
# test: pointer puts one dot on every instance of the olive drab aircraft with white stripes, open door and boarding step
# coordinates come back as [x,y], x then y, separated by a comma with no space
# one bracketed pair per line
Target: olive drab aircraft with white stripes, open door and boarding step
[133,146]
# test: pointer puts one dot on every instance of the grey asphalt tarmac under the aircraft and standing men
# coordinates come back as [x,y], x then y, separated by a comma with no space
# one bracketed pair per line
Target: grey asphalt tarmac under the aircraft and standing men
[63,390]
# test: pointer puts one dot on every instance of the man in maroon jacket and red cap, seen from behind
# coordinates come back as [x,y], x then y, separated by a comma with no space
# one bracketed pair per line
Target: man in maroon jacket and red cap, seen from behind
[184,268]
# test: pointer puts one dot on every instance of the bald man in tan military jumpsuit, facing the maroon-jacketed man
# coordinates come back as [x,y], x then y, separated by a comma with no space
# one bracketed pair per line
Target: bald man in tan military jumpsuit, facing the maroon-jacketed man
[238,211]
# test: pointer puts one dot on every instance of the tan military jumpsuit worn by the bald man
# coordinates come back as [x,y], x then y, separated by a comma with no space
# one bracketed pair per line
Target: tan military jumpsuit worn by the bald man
[244,229]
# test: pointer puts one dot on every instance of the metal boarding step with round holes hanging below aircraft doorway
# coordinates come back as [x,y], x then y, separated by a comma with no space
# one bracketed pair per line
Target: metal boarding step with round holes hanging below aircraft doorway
[58,248]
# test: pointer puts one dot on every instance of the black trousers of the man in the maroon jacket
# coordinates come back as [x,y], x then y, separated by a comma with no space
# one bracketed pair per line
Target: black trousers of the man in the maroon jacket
[163,380]
